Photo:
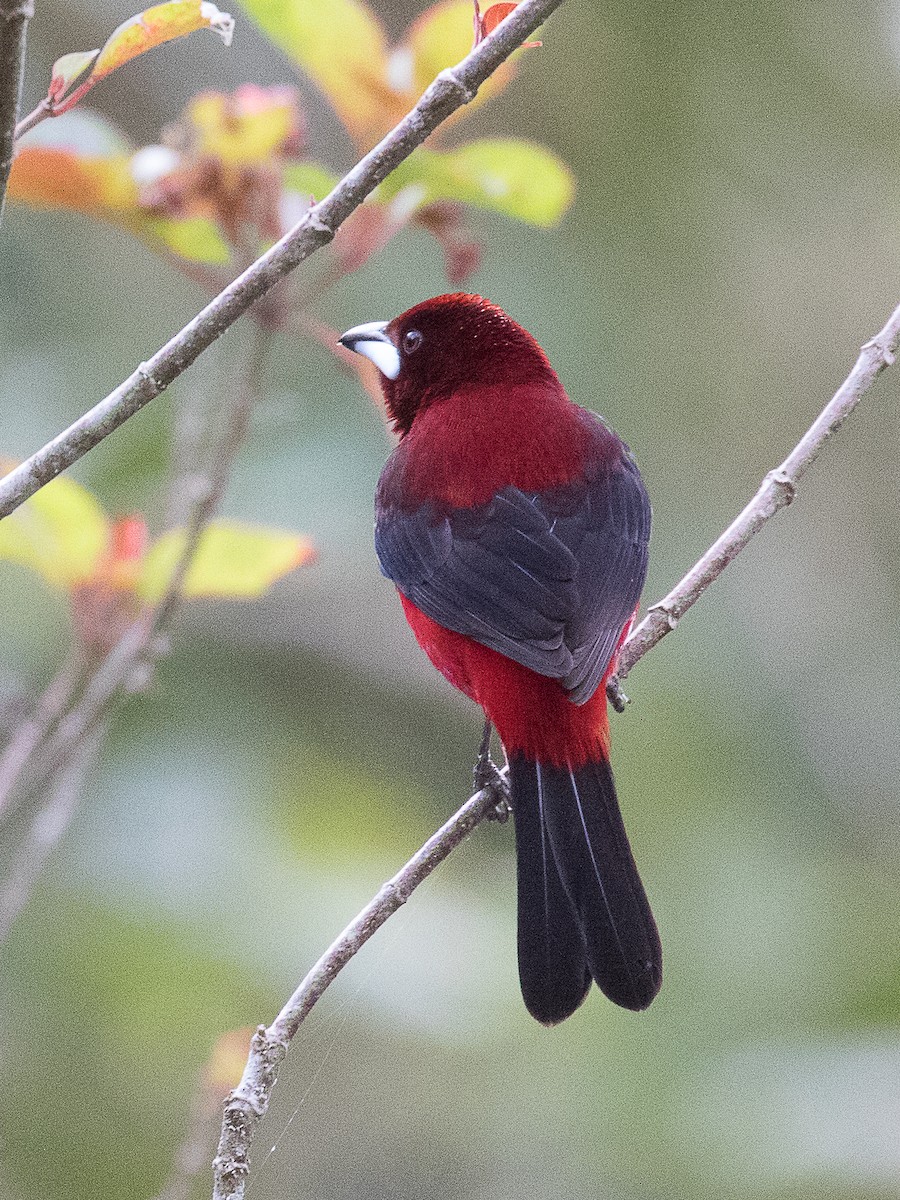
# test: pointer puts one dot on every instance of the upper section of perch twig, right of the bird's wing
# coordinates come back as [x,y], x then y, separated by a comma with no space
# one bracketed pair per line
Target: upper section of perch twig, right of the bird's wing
[776,493]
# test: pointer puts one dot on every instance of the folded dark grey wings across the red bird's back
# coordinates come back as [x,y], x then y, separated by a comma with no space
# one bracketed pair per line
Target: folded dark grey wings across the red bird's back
[550,580]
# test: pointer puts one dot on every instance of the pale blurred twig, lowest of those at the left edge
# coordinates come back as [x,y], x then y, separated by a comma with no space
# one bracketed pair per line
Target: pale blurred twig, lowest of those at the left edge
[44,833]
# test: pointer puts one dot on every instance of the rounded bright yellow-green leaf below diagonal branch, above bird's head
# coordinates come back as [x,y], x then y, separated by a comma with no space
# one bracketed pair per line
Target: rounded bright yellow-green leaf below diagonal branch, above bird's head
[507,176]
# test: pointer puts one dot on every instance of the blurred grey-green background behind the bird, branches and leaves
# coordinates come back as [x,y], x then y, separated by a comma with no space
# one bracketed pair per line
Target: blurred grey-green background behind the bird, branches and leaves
[736,238]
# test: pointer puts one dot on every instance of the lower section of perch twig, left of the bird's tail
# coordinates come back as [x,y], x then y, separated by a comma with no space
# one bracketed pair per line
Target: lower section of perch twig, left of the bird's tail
[249,1102]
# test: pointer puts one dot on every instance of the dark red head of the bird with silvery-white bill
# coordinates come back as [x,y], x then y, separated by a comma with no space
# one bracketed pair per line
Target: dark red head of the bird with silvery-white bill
[445,346]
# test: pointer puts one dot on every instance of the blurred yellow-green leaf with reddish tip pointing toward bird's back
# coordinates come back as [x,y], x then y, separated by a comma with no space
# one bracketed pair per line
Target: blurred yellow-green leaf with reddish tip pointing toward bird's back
[233,561]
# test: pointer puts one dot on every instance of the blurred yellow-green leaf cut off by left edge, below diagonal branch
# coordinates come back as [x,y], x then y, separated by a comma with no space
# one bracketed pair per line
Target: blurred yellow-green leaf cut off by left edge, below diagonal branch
[62,533]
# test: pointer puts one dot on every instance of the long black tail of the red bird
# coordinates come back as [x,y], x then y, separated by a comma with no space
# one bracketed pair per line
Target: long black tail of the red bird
[583,910]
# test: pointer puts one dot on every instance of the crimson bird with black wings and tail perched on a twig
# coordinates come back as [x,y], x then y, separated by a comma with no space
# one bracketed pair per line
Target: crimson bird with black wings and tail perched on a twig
[515,526]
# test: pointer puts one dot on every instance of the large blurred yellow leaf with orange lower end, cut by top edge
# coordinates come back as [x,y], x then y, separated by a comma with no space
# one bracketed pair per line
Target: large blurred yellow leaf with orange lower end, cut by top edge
[341,45]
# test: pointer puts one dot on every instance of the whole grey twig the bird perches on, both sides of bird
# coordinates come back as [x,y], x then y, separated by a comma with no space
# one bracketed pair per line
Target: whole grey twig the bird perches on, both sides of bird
[250,1101]
